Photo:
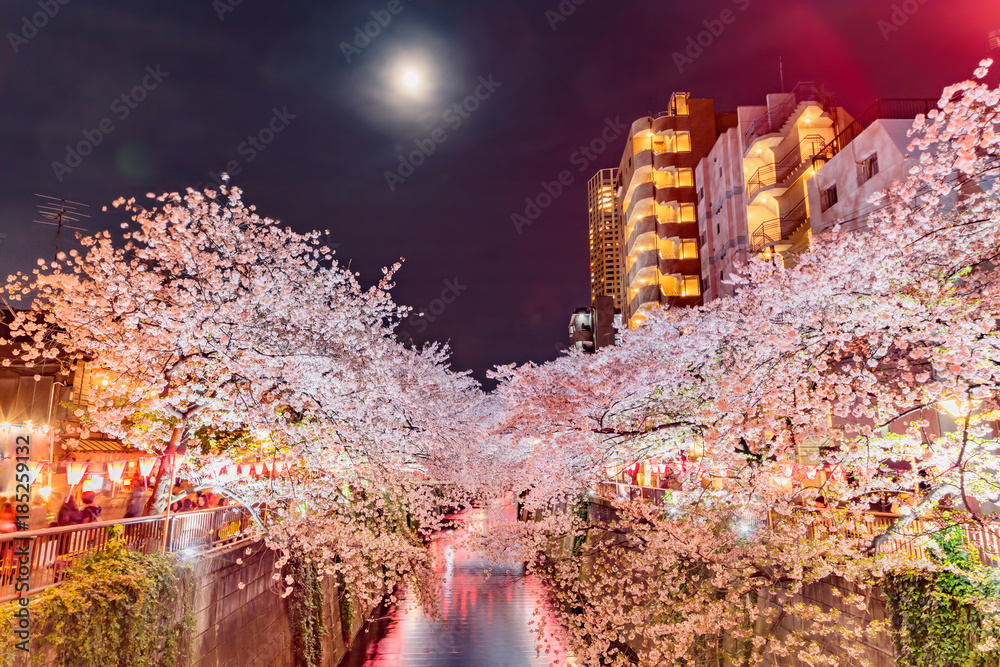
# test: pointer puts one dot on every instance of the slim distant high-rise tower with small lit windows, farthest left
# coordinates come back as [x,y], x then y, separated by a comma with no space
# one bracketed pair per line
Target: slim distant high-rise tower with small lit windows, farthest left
[605,237]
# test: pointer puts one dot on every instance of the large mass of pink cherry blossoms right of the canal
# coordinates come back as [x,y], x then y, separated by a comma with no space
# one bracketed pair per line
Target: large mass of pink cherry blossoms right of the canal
[785,414]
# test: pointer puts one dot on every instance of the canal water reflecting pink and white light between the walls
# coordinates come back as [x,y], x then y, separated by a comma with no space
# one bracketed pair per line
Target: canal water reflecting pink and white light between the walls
[485,620]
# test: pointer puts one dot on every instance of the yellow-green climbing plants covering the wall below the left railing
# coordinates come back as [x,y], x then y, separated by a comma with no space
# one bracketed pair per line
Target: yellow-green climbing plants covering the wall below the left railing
[116,608]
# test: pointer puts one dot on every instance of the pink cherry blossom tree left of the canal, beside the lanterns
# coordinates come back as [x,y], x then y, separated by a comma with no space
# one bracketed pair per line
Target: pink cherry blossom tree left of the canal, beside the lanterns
[250,344]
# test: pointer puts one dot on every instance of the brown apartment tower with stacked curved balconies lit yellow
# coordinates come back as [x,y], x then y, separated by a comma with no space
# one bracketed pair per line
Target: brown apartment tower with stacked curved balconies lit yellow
[656,201]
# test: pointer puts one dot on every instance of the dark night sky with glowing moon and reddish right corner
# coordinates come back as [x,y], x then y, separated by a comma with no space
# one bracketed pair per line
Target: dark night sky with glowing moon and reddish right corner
[553,81]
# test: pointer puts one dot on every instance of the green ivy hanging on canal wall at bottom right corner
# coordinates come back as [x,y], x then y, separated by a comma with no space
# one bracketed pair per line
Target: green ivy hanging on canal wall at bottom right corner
[938,618]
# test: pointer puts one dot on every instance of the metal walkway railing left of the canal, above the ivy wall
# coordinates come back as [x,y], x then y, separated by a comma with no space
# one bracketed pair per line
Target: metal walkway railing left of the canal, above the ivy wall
[52,551]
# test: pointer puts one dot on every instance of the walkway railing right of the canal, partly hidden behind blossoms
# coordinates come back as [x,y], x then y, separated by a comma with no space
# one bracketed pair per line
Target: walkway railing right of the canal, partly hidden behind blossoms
[984,538]
